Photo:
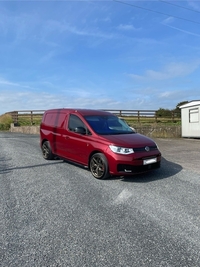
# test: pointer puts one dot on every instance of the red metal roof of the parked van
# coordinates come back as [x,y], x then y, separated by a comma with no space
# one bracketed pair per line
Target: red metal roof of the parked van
[83,112]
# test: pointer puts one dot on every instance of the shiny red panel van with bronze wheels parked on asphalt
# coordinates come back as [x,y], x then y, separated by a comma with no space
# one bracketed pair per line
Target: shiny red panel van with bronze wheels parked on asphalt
[98,140]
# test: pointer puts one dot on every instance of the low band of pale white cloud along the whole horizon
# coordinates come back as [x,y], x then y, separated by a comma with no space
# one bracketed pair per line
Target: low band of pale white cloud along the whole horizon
[11,100]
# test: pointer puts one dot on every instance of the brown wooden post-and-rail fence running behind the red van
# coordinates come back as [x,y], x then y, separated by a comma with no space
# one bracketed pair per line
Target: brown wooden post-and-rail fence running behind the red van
[34,117]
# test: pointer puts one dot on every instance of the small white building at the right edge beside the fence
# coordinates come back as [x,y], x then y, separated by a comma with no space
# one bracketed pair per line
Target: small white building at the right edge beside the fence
[190,119]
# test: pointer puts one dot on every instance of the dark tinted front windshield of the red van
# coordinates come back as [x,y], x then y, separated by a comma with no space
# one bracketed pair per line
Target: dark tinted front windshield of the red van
[108,124]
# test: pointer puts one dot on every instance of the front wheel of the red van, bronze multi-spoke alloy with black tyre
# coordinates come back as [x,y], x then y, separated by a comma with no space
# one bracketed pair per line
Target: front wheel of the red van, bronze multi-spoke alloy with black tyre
[99,166]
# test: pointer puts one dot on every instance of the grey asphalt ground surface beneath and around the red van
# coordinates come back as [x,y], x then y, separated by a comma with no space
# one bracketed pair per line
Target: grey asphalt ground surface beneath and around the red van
[53,213]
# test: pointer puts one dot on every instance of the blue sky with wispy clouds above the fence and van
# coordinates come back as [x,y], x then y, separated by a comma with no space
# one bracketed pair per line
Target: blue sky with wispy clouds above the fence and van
[98,54]
